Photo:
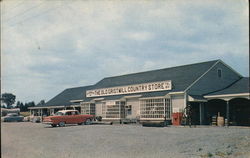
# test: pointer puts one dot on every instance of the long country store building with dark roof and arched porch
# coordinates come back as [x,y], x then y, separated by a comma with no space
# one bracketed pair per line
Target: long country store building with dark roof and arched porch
[208,88]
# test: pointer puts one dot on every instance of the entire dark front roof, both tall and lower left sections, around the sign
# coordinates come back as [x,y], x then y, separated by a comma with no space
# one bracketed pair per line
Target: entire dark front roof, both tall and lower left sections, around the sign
[181,77]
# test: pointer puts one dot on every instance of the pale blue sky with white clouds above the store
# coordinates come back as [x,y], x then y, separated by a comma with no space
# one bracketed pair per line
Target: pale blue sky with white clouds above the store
[48,46]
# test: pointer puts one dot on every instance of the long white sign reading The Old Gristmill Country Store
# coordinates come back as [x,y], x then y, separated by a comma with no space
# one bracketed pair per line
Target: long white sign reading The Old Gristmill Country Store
[137,88]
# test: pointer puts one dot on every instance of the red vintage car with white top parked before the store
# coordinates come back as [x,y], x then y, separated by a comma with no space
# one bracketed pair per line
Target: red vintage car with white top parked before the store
[67,117]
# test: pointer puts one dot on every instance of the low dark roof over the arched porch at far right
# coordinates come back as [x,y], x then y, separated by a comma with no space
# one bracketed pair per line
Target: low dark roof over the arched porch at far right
[241,86]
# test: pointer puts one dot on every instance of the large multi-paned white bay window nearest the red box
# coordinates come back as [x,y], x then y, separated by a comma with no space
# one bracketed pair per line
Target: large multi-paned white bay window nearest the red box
[155,108]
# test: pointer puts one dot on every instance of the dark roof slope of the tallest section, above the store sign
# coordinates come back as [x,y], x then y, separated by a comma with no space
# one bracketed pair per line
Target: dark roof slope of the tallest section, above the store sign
[181,76]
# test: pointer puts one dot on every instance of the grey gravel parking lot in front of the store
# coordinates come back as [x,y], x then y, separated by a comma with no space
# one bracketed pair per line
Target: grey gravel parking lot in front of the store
[29,140]
